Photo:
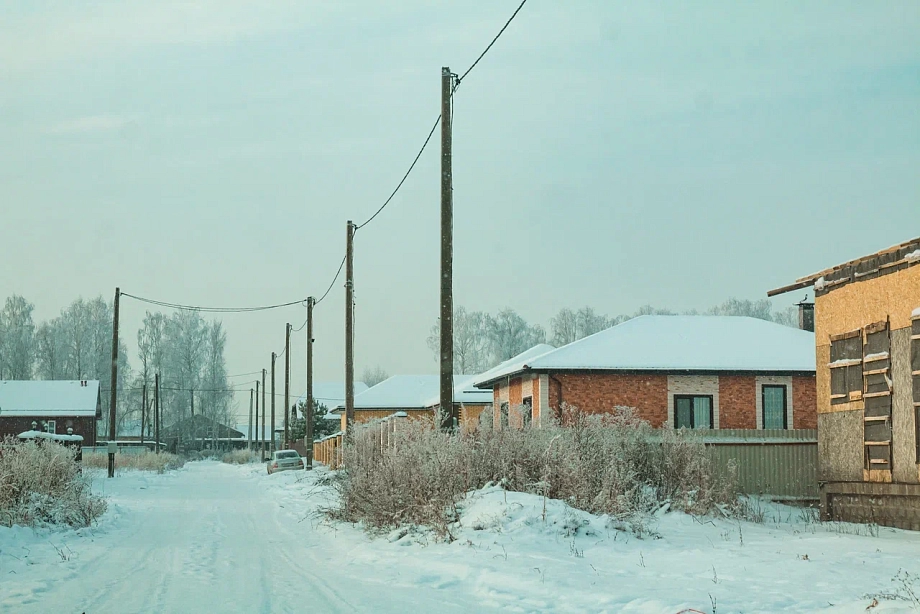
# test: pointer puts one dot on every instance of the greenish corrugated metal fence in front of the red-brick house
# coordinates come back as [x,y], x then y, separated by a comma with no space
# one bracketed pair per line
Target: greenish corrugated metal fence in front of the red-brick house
[780,464]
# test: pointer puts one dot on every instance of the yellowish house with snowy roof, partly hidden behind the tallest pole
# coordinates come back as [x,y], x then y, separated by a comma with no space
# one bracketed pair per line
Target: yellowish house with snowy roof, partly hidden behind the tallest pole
[418,396]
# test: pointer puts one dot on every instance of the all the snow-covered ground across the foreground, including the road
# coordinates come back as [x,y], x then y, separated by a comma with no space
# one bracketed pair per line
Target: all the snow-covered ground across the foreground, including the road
[214,537]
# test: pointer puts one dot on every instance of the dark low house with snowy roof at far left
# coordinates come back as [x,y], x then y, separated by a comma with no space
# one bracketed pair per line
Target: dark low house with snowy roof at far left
[50,406]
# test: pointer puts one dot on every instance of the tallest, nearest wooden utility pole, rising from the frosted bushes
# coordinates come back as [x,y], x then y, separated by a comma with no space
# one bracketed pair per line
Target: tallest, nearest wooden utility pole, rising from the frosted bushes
[449,419]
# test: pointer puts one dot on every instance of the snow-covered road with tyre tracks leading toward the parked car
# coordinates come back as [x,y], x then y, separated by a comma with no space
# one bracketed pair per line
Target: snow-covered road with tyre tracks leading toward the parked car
[209,538]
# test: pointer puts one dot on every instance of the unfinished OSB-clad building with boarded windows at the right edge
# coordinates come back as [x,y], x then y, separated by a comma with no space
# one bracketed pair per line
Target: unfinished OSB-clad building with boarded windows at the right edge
[867,331]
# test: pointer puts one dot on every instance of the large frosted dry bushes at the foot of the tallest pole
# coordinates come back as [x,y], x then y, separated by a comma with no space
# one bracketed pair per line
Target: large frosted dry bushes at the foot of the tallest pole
[612,464]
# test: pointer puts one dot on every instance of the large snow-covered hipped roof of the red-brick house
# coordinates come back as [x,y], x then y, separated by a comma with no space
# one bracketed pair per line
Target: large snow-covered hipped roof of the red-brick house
[680,344]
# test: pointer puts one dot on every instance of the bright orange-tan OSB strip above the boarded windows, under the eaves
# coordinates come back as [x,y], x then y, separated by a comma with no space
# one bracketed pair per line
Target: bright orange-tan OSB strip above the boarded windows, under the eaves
[856,304]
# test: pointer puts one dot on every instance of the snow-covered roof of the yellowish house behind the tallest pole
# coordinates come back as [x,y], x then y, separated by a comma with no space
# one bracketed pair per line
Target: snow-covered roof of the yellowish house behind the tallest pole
[415,392]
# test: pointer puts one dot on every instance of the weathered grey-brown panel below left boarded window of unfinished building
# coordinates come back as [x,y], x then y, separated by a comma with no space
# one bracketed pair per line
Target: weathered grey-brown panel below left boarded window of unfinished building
[840,446]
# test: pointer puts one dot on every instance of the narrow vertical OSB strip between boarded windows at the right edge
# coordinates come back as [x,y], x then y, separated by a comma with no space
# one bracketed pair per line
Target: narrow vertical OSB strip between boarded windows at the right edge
[903,435]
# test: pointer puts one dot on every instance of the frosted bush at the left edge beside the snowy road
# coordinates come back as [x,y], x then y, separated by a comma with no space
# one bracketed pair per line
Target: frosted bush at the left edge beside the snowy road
[40,483]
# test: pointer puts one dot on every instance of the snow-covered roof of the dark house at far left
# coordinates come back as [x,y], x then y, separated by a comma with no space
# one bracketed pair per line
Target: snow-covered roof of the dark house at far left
[49,398]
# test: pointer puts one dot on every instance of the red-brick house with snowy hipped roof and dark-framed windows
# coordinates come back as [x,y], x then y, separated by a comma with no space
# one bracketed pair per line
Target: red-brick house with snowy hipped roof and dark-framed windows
[676,371]
